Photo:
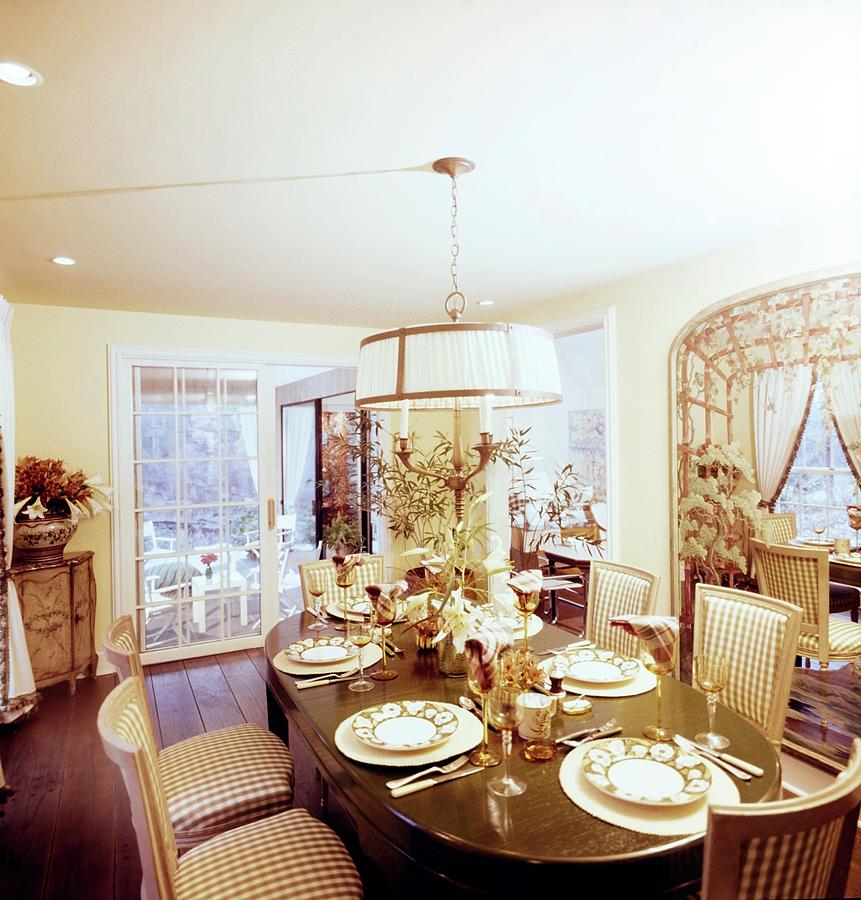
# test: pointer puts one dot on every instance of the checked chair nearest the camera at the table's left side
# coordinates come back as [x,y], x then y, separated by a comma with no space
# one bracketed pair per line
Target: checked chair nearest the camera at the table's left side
[287,855]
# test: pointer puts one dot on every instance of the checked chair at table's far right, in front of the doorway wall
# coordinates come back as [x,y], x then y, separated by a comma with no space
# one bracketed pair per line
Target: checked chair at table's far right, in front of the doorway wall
[617,590]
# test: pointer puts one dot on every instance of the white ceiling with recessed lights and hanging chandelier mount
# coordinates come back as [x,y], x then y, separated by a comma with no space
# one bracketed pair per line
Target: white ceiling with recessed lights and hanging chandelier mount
[610,137]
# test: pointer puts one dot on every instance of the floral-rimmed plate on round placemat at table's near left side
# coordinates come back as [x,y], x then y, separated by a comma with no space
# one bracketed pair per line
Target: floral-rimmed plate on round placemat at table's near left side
[405,725]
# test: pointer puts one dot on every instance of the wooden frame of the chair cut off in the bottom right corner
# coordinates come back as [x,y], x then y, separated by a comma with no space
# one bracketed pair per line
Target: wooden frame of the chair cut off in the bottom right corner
[729,827]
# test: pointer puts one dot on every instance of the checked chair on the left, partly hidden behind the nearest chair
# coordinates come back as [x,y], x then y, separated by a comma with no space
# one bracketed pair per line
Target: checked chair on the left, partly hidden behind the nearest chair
[217,780]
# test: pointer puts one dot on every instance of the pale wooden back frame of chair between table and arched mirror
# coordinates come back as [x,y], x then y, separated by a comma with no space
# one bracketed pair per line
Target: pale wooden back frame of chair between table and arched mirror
[786,662]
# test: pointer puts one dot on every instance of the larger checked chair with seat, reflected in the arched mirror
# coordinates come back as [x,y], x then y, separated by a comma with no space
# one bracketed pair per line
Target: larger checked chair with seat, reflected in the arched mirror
[799,575]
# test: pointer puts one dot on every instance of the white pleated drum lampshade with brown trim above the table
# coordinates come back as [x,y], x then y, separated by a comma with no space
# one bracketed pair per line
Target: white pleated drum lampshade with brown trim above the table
[432,366]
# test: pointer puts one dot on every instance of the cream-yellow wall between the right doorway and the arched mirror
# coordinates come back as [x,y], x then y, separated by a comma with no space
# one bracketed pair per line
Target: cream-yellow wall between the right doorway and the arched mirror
[650,311]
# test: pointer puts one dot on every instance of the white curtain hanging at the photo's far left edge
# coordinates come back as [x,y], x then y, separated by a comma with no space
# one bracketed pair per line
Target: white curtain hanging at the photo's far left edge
[17,688]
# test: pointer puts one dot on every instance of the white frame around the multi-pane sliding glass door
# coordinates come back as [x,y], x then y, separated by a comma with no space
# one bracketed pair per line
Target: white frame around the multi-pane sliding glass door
[121,358]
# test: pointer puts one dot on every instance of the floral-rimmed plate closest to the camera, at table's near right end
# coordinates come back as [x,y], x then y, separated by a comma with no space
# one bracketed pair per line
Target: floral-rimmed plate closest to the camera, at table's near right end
[656,774]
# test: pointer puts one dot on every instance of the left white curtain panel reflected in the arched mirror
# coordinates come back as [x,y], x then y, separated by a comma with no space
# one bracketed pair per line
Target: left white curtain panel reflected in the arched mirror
[779,401]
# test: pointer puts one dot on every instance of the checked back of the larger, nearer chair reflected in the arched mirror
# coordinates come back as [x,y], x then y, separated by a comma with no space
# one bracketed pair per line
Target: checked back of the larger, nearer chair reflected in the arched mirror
[798,575]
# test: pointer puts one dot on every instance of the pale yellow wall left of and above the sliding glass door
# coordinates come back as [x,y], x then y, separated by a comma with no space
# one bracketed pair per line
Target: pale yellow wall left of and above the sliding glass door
[61,385]
